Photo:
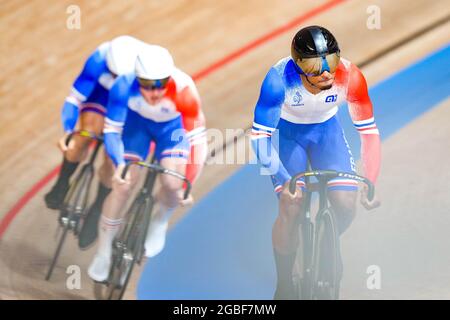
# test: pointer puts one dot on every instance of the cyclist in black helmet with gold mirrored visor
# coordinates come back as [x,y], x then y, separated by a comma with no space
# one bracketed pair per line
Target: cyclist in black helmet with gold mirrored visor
[295,121]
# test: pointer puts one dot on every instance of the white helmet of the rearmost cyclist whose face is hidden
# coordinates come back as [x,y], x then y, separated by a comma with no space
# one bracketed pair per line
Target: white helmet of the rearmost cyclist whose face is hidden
[121,54]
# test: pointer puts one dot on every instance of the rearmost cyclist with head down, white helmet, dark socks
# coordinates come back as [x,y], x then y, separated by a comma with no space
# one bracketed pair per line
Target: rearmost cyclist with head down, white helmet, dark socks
[86,105]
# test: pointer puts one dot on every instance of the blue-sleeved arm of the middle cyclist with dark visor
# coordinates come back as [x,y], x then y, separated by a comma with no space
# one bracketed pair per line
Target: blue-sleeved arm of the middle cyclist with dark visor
[115,119]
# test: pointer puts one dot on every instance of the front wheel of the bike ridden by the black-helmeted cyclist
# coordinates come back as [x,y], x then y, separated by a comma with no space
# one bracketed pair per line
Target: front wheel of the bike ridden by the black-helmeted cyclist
[326,277]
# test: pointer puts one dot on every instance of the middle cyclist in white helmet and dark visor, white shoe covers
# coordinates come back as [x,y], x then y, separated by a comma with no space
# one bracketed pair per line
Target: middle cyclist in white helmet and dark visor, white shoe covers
[158,103]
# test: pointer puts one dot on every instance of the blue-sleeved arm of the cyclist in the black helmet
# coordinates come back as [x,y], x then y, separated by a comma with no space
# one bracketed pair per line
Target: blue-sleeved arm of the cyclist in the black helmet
[266,117]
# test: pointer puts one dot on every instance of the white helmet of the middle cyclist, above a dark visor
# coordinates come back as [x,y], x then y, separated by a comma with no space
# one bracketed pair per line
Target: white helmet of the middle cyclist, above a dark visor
[154,62]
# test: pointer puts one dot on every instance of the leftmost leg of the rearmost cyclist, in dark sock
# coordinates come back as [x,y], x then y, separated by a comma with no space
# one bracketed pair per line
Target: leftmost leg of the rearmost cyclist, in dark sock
[91,119]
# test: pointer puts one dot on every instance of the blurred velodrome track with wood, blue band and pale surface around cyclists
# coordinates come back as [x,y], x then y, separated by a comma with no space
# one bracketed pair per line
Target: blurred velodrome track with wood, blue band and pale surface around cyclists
[228,46]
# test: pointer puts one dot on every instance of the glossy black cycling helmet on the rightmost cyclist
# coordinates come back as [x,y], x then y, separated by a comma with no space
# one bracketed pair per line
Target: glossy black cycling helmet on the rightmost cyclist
[312,42]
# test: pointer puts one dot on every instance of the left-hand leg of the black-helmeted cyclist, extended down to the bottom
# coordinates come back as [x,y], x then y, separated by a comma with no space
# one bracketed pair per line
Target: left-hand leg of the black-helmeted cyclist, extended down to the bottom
[285,235]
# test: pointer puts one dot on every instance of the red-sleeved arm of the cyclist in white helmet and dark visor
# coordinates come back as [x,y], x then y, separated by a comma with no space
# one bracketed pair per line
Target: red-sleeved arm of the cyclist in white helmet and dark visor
[189,105]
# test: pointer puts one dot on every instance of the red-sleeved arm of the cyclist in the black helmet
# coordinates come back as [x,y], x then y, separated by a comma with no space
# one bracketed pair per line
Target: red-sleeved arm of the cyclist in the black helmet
[361,112]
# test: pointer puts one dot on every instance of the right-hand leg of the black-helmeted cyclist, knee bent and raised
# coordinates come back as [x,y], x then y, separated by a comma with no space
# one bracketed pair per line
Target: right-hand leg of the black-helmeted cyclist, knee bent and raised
[332,152]
